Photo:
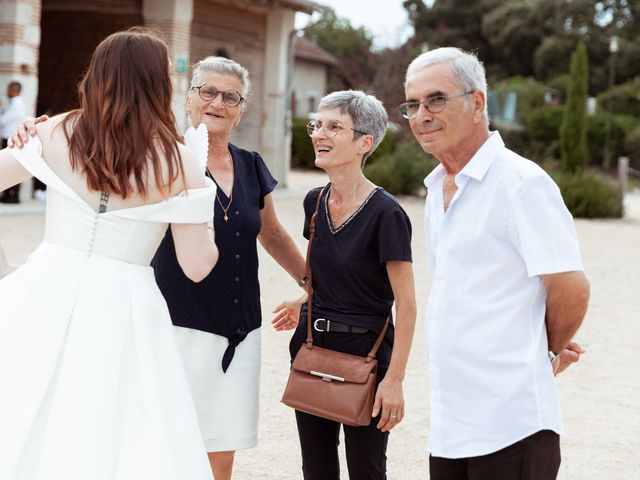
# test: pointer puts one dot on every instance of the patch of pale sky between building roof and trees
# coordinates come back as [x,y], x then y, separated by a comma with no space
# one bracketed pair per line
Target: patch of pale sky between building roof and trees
[386,20]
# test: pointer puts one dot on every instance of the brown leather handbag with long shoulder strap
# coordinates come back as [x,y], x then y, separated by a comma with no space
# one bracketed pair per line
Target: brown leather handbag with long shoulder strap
[329,384]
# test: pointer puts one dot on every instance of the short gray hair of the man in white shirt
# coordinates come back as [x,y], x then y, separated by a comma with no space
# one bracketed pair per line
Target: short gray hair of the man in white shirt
[468,71]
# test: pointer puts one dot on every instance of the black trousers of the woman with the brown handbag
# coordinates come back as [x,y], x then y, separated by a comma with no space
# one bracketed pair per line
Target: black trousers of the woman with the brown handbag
[366,447]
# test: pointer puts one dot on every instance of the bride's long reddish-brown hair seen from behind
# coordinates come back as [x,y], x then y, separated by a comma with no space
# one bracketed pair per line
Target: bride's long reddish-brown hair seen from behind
[125,120]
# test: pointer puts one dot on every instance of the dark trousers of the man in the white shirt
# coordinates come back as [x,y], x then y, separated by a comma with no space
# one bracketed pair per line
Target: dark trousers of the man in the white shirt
[536,457]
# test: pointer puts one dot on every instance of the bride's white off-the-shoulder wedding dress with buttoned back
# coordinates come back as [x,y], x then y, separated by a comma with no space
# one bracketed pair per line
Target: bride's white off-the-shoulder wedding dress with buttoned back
[91,383]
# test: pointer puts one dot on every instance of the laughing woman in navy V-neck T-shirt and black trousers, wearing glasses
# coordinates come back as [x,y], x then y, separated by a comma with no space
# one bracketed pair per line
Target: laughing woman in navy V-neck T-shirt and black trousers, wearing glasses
[361,264]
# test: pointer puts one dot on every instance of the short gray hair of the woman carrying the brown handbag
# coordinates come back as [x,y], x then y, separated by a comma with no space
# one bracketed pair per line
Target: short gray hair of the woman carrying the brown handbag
[366,111]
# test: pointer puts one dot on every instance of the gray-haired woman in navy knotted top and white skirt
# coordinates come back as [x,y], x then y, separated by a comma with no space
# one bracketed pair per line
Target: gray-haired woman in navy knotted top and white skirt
[217,321]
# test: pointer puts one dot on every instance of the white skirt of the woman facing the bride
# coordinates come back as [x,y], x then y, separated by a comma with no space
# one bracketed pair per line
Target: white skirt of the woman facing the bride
[226,403]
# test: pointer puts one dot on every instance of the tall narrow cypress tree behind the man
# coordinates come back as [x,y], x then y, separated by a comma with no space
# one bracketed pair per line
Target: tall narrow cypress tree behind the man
[573,130]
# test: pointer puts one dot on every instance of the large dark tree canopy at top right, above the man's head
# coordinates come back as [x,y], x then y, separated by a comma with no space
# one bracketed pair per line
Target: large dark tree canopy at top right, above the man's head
[534,37]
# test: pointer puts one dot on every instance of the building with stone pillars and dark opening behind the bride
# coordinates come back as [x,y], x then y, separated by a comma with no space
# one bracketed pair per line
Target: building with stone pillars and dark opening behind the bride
[46,45]
